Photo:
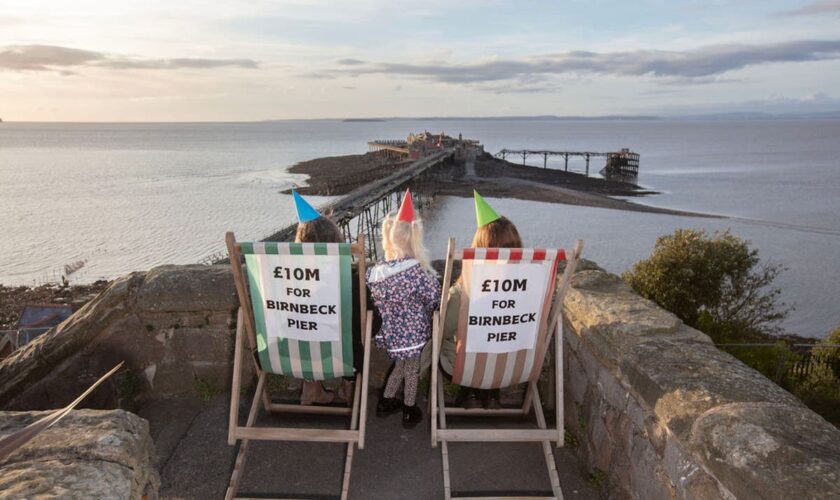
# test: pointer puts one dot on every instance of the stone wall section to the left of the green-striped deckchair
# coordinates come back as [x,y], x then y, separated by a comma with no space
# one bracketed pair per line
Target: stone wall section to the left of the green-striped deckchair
[173,326]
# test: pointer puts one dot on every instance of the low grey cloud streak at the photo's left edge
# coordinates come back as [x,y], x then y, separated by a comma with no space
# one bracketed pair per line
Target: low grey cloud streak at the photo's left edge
[61,59]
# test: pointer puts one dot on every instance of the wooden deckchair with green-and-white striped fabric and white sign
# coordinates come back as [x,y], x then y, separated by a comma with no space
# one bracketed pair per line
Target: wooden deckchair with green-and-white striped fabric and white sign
[312,284]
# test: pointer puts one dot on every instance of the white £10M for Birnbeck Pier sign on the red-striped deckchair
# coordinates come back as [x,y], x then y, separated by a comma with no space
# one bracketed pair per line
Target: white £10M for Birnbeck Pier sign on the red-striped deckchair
[505,305]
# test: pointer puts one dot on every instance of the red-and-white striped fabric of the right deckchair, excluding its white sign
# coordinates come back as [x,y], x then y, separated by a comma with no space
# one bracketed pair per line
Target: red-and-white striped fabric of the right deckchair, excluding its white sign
[485,370]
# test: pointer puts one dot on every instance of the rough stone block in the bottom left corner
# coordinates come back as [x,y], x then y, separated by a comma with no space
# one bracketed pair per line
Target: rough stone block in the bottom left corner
[88,454]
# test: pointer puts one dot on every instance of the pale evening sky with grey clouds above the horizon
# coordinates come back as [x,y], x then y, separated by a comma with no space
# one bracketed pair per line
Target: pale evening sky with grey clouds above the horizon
[225,60]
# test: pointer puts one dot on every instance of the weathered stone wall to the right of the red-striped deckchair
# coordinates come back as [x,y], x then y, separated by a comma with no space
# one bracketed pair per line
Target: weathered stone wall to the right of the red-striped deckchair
[661,413]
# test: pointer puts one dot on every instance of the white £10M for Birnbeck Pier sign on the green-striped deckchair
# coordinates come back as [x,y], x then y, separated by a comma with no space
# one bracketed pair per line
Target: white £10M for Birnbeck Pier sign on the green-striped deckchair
[301,296]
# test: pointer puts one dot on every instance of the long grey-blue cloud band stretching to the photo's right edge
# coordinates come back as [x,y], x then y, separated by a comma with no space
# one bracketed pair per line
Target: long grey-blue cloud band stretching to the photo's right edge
[700,65]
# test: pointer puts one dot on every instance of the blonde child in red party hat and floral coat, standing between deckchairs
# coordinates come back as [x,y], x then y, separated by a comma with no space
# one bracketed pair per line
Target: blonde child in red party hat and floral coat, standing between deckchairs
[406,292]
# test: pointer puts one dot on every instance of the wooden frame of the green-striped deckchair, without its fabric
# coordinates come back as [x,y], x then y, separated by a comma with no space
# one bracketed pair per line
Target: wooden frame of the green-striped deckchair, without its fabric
[245,327]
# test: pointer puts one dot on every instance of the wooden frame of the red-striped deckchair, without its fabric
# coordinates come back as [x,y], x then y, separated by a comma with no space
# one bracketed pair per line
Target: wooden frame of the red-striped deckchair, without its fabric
[439,411]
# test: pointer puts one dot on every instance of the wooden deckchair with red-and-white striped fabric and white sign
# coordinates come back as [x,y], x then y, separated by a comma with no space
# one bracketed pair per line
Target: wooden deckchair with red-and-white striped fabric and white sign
[510,308]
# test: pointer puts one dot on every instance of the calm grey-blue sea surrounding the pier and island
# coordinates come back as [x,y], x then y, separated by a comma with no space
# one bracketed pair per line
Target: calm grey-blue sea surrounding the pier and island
[125,197]
